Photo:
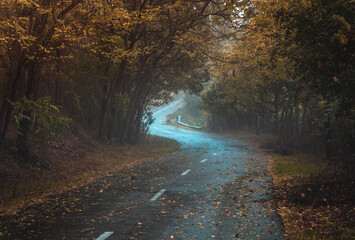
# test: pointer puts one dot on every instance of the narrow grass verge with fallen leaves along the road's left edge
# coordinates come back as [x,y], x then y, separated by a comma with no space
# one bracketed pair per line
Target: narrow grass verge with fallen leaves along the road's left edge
[104,160]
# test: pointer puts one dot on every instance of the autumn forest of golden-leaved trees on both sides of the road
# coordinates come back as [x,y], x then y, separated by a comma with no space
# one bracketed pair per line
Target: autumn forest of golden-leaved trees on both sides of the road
[282,69]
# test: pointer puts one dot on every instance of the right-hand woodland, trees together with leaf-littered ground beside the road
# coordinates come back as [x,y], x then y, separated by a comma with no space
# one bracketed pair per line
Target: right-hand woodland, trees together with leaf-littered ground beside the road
[288,75]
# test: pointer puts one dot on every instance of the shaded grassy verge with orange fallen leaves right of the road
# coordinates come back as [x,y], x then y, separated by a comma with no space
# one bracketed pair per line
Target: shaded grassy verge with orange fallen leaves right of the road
[314,199]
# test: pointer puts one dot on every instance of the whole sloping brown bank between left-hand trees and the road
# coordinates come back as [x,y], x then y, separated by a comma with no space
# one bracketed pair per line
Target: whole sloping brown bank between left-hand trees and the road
[70,161]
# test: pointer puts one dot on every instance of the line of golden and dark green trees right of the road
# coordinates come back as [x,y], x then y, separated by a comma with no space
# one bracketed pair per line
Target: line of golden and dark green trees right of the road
[289,71]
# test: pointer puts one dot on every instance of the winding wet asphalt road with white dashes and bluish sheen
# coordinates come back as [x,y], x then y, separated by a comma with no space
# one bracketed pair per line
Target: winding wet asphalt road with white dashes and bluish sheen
[214,187]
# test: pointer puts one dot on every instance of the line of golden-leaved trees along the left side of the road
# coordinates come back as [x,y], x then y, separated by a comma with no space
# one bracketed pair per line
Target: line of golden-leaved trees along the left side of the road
[101,63]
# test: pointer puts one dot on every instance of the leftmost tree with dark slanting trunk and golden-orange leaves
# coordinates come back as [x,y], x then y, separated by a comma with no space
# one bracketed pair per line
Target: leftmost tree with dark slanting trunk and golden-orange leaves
[33,33]
